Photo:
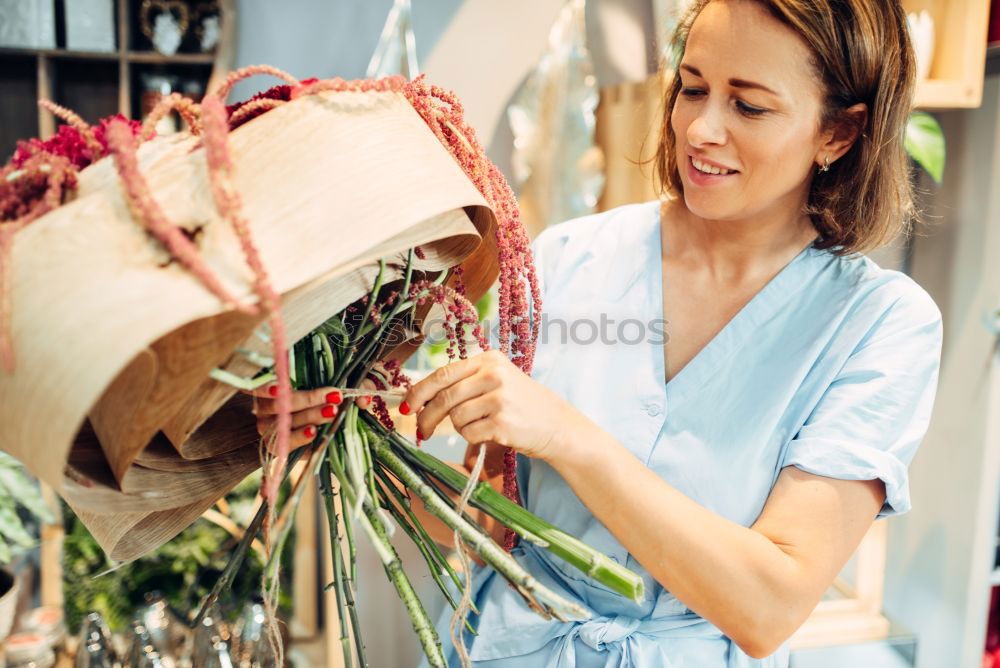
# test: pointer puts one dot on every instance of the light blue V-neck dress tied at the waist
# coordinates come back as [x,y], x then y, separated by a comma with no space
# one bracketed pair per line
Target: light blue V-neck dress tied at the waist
[832,367]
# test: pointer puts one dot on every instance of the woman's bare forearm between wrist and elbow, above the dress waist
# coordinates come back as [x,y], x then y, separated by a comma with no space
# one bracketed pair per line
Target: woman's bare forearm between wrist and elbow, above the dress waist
[734,577]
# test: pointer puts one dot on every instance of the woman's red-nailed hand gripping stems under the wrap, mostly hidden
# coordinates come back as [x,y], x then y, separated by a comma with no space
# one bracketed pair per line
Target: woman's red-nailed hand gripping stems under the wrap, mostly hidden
[310,408]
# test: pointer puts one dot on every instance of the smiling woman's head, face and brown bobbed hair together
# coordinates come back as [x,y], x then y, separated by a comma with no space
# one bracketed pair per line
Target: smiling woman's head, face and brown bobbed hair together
[794,85]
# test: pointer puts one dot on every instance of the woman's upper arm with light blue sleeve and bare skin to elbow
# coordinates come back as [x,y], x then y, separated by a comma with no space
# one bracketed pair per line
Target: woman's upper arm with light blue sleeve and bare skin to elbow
[848,463]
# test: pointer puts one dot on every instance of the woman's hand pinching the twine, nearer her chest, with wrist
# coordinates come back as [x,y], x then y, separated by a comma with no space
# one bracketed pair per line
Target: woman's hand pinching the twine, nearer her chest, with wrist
[488,398]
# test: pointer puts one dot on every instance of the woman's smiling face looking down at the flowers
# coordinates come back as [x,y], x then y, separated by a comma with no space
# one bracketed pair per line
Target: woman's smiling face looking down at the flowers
[749,103]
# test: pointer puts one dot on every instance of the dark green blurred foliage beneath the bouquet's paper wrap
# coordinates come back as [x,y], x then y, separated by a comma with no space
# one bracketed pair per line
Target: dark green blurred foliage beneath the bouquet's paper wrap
[183,570]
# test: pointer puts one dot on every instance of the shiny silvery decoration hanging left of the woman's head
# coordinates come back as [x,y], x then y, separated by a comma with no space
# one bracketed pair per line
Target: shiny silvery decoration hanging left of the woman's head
[557,168]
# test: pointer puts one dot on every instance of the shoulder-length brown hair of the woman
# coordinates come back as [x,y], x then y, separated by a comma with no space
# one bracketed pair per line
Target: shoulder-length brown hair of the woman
[861,52]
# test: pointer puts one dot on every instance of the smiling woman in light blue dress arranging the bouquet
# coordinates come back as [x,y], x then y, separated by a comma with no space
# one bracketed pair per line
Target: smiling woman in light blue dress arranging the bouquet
[738,466]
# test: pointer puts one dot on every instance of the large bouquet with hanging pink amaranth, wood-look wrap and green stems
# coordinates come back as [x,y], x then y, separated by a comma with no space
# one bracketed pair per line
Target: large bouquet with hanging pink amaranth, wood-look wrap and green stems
[358,460]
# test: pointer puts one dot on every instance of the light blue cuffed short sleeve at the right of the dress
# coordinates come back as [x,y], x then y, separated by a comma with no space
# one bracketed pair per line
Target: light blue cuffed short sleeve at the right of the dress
[873,416]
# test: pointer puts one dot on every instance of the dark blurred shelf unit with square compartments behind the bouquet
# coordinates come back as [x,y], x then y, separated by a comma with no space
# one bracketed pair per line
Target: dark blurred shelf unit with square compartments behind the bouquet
[125,78]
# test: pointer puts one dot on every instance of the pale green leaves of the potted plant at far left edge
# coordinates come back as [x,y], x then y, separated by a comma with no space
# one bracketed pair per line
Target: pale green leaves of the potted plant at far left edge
[17,489]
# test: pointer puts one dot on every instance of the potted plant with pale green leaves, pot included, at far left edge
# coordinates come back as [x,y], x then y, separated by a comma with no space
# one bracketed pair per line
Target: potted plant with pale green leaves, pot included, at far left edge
[19,493]
